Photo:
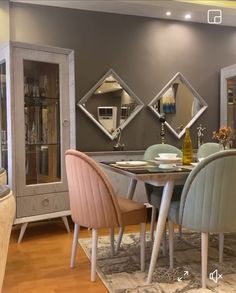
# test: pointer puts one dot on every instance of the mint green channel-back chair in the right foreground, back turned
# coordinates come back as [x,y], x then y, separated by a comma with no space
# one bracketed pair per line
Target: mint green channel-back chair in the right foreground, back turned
[208,202]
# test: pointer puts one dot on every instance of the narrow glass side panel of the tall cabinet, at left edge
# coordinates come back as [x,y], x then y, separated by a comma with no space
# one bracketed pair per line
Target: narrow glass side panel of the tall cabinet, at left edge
[3,116]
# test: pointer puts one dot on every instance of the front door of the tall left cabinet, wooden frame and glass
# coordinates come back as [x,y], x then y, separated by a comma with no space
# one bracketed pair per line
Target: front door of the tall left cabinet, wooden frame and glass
[42,120]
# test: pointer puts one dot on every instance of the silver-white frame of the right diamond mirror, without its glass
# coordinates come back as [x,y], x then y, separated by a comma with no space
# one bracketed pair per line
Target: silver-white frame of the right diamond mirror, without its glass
[189,86]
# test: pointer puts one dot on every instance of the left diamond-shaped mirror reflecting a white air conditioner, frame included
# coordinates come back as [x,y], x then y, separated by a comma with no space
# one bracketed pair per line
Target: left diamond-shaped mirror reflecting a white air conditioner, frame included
[110,104]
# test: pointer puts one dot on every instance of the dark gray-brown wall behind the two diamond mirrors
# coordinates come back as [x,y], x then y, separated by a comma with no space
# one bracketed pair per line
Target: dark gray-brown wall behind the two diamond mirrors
[144,52]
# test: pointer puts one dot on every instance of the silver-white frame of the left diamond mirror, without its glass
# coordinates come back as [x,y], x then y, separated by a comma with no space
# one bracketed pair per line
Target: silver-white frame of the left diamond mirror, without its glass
[125,87]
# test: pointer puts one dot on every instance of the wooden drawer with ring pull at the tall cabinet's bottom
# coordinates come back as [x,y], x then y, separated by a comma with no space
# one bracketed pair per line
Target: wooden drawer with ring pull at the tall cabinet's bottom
[42,204]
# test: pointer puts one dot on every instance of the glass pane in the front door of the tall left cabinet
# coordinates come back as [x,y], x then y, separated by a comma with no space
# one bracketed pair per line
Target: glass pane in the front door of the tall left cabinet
[42,122]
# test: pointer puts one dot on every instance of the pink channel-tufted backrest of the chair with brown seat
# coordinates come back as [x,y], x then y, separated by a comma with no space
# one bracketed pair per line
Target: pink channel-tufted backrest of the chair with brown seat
[92,199]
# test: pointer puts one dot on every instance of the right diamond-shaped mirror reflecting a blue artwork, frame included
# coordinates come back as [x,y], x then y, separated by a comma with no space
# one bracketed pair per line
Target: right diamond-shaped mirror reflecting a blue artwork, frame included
[180,103]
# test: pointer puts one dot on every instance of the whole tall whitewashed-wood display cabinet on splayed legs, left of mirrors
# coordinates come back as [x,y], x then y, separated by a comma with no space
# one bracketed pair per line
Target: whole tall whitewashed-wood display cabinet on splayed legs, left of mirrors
[37,126]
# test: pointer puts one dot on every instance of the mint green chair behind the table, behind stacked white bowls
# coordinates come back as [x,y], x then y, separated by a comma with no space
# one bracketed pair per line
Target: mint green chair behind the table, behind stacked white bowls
[154,193]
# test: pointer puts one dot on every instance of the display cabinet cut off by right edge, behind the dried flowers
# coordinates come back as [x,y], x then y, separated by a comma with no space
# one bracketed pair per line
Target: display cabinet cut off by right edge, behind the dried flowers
[228,100]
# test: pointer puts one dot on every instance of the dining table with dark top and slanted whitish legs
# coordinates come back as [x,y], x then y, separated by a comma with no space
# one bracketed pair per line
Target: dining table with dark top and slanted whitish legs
[156,174]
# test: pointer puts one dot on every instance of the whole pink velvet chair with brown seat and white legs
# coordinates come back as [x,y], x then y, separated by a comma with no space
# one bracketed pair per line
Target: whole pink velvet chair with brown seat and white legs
[94,204]
